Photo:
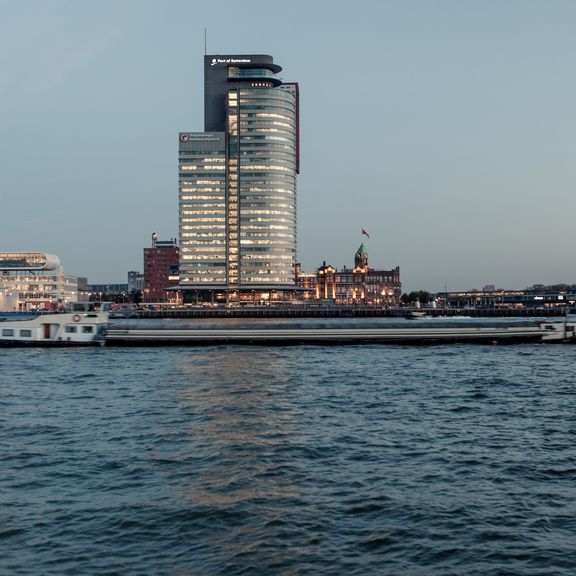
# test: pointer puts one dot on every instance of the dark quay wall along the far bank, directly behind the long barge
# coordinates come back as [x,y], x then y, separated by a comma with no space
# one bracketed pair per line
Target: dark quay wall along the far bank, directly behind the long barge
[344,312]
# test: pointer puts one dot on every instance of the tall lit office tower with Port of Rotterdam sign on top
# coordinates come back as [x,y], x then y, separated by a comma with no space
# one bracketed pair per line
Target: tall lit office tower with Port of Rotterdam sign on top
[237,192]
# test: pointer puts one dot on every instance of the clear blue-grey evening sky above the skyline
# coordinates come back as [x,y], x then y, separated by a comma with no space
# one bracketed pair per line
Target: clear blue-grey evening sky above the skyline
[444,128]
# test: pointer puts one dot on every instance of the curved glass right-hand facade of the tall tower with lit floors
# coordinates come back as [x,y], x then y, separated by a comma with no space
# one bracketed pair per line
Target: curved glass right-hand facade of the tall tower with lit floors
[267,192]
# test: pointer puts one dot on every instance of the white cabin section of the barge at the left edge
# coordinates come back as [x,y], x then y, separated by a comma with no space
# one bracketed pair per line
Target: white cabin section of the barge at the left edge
[83,324]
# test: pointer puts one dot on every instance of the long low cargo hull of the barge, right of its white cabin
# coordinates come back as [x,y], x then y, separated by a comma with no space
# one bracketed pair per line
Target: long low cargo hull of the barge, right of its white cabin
[288,336]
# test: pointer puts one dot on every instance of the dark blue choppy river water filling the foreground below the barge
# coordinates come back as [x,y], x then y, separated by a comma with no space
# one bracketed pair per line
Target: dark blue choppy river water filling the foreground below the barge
[441,460]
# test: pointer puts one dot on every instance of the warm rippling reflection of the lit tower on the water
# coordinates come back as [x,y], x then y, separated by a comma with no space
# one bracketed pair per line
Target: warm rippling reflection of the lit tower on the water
[242,402]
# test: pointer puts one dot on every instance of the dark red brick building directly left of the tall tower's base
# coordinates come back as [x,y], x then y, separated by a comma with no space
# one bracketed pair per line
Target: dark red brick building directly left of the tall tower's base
[160,270]
